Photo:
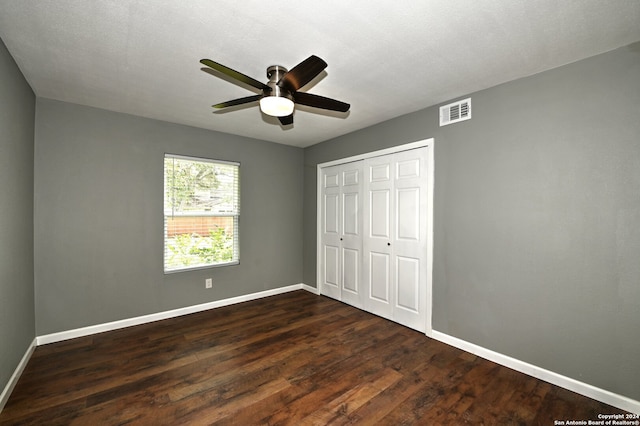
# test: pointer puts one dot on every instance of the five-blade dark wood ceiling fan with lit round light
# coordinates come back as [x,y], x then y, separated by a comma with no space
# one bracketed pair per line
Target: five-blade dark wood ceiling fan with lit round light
[280,93]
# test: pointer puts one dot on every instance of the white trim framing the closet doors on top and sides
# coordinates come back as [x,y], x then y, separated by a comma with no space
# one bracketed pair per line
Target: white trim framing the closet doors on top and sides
[429,143]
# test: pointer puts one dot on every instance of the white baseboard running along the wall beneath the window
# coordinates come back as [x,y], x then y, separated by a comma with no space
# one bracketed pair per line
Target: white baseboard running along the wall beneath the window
[115,325]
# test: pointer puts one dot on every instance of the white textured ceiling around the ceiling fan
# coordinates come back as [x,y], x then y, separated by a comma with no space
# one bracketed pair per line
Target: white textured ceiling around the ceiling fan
[385,58]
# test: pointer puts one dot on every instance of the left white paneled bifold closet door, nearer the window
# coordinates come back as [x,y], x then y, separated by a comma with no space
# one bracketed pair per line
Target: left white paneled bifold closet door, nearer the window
[341,235]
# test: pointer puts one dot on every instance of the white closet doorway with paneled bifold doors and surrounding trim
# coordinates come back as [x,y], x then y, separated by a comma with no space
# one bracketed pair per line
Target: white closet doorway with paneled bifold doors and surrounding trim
[375,237]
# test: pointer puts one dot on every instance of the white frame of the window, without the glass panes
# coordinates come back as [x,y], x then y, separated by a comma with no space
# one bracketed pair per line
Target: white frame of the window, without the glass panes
[170,212]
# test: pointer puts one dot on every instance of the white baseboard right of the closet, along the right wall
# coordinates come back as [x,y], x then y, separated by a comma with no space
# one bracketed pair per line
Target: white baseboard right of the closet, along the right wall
[582,388]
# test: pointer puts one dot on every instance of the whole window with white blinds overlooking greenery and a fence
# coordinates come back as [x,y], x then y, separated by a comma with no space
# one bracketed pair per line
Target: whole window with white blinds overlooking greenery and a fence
[201,213]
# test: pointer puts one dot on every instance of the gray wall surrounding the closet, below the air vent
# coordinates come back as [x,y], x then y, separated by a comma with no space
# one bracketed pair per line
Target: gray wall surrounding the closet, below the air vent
[536,217]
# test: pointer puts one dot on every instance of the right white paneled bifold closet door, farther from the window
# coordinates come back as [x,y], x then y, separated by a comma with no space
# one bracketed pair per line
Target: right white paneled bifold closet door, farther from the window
[395,237]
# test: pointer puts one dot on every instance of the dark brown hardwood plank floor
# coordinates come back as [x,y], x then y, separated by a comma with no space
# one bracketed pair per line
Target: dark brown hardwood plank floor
[294,359]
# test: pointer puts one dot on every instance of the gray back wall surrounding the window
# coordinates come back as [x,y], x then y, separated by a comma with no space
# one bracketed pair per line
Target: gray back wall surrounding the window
[99,216]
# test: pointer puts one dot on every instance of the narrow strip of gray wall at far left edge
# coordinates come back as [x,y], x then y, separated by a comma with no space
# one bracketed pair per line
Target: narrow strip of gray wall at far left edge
[17,111]
